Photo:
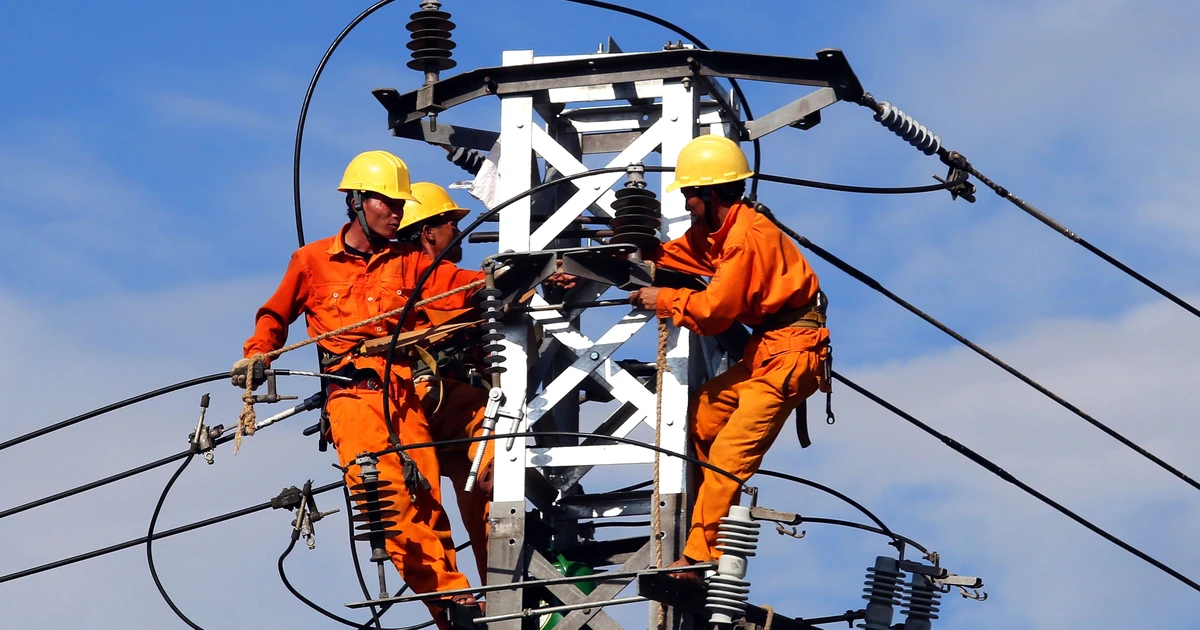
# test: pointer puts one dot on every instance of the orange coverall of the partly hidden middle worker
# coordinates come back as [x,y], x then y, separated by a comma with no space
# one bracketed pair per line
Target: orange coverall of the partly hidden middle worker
[461,411]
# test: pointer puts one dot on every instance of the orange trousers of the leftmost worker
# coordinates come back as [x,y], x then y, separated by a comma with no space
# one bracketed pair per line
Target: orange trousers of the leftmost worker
[356,421]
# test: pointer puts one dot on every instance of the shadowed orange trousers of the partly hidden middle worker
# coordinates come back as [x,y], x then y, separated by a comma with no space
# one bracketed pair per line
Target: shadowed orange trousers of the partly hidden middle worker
[461,416]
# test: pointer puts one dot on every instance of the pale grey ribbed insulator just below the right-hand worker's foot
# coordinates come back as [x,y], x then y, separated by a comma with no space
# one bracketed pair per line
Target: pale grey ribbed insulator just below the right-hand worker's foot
[737,539]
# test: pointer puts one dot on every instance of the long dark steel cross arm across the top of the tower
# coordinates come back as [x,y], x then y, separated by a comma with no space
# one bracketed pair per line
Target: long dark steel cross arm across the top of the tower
[829,70]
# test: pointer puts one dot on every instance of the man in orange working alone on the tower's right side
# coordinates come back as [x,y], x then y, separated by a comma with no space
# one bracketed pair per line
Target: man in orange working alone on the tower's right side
[759,279]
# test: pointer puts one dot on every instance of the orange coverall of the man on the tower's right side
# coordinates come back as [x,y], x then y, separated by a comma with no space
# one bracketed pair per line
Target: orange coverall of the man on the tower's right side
[736,417]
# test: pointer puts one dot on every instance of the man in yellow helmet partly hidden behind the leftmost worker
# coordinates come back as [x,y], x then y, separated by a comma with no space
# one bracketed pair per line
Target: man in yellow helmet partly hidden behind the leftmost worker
[454,409]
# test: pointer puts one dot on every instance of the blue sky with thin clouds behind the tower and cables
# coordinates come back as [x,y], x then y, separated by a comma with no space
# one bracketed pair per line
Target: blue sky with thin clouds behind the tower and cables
[146,205]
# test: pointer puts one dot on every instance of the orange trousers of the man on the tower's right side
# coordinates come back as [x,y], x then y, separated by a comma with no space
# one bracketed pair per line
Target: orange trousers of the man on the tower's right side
[736,418]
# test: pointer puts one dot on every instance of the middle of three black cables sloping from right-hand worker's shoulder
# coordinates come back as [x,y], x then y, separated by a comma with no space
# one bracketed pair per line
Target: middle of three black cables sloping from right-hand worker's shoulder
[875,285]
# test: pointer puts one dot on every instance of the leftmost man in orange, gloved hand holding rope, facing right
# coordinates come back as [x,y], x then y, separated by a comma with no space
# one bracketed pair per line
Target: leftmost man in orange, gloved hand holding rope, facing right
[346,279]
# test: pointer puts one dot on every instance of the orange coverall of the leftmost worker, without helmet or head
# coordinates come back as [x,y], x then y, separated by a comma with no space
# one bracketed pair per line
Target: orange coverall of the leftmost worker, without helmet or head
[335,289]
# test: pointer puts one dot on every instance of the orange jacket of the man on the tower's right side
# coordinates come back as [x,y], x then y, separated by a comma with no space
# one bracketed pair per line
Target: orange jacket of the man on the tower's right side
[755,269]
